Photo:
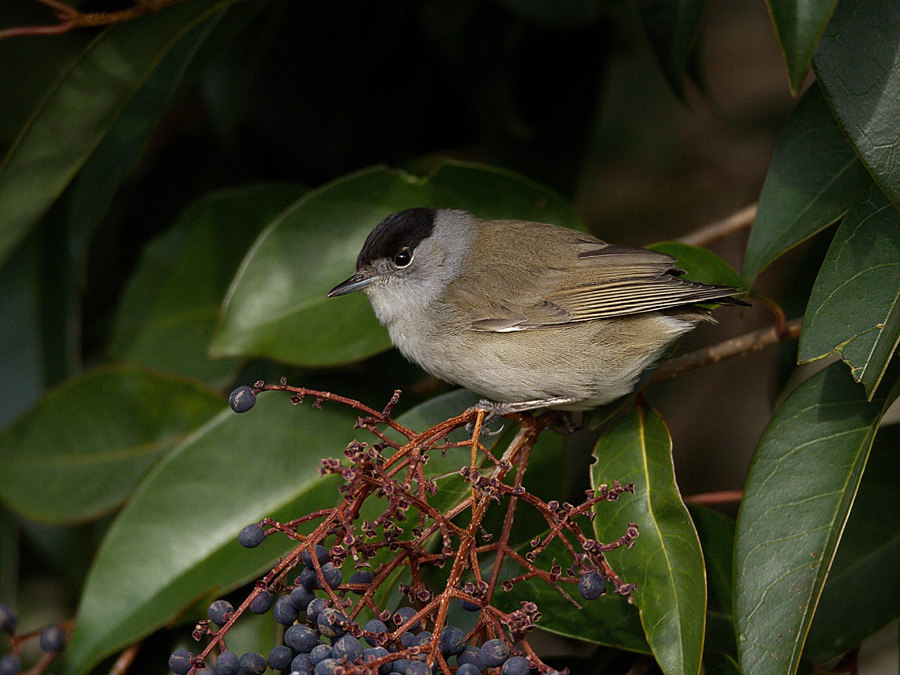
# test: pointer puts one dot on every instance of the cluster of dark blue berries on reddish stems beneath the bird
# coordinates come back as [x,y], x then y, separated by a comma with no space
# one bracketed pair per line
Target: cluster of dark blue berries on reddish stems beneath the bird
[335,626]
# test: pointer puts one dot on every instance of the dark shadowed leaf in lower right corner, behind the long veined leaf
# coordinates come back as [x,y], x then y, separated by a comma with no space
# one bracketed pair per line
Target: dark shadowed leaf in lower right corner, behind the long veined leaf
[862,594]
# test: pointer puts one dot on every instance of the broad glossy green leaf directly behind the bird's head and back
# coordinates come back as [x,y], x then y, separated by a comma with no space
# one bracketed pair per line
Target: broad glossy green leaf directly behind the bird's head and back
[277,307]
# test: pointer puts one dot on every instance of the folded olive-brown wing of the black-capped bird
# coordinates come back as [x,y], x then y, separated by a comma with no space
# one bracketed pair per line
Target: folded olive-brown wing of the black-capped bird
[594,280]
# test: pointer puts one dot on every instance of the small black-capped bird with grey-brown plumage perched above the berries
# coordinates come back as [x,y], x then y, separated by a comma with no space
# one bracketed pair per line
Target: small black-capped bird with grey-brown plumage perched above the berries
[528,314]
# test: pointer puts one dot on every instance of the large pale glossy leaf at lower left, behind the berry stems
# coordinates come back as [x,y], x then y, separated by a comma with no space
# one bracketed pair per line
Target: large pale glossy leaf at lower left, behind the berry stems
[177,537]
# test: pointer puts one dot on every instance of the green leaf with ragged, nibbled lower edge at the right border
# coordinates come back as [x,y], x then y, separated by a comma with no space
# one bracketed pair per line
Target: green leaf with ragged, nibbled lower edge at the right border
[854,307]
